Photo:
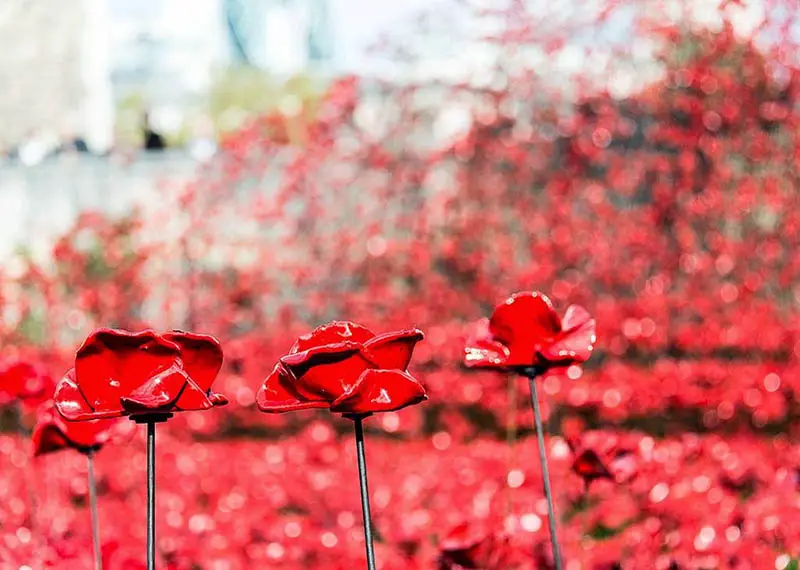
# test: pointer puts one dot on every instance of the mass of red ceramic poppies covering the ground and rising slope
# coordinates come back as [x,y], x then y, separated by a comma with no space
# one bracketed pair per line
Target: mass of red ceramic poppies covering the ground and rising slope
[660,225]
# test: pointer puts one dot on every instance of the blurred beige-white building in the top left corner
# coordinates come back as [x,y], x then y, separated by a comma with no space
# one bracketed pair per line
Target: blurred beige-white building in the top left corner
[53,75]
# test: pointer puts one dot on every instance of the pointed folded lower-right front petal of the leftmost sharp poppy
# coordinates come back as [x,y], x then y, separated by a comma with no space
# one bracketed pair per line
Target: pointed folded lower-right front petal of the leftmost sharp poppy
[161,393]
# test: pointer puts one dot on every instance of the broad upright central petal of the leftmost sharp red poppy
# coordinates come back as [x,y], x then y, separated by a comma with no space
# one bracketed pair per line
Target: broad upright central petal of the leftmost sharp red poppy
[112,364]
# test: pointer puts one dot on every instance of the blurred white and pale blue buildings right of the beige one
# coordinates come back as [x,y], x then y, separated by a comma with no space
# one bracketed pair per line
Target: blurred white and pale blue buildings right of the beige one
[169,48]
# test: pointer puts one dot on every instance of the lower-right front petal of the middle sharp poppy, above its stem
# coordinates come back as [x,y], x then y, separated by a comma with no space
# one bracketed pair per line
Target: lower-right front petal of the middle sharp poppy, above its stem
[380,391]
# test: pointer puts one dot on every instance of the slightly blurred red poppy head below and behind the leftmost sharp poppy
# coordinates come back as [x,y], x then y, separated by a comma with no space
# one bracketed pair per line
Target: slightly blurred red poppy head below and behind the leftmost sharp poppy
[52,433]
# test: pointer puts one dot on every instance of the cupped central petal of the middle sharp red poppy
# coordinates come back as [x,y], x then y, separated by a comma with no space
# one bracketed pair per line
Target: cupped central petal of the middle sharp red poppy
[326,372]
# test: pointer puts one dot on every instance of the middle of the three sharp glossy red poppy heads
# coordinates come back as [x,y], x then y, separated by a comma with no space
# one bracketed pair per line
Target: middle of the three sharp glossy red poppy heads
[347,368]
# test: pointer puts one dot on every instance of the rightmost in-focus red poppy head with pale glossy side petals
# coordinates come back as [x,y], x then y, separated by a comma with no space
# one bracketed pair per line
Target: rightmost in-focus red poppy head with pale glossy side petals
[526,332]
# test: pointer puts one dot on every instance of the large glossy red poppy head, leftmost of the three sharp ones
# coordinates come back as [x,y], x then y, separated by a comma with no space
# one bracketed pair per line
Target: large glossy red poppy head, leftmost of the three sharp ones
[120,373]
